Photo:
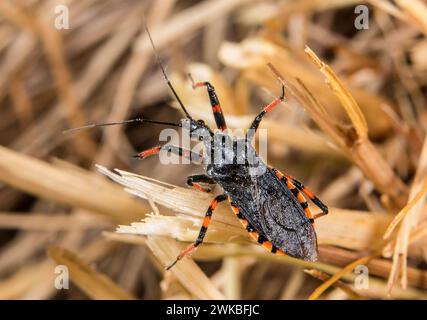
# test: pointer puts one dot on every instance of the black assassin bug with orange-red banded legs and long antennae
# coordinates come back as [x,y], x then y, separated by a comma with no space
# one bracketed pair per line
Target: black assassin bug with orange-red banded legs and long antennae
[270,205]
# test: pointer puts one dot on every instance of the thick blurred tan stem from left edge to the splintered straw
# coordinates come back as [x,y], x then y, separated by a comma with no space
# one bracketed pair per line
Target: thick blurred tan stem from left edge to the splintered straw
[78,190]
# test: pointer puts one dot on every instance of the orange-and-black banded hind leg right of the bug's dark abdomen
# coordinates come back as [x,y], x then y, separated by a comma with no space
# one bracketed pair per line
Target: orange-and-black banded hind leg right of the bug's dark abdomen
[297,188]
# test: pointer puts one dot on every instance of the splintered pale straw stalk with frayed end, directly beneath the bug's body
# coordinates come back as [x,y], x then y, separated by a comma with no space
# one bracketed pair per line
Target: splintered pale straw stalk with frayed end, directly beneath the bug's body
[333,229]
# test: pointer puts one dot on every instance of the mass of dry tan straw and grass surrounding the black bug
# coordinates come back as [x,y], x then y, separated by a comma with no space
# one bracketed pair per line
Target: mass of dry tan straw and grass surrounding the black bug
[352,128]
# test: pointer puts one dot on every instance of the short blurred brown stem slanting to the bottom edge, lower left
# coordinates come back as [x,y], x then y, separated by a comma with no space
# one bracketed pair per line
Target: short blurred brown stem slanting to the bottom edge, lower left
[94,284]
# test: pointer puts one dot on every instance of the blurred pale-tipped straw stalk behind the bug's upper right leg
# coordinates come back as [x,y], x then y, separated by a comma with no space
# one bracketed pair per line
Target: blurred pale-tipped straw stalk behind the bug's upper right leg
[251,55]
